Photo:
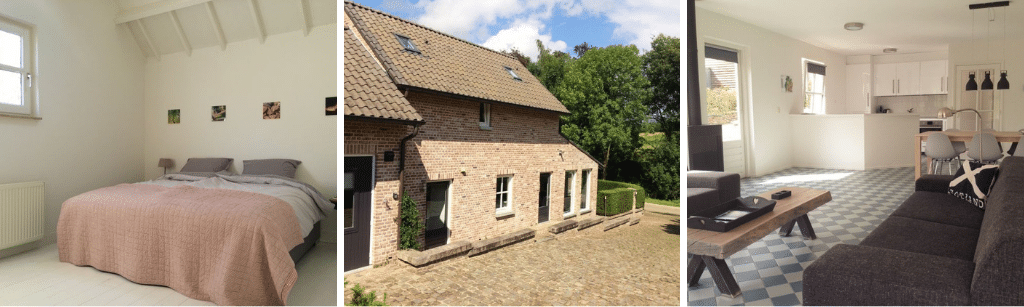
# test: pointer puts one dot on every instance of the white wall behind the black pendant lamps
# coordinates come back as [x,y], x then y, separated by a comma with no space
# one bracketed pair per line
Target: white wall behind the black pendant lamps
[968,54]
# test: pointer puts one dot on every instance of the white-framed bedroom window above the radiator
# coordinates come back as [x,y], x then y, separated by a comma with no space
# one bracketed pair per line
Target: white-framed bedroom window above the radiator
[16,68]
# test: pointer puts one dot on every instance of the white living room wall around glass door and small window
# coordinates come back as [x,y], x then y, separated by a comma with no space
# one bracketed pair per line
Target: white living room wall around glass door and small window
[767,56]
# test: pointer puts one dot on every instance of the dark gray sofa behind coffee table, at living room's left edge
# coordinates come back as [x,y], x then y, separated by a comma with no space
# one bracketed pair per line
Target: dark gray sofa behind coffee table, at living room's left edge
[707,189]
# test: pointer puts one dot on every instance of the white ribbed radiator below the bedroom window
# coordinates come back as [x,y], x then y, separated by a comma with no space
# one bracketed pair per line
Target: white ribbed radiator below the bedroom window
[22,208]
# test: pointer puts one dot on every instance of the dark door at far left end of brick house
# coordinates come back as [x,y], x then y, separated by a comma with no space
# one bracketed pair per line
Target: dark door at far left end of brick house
[359,188]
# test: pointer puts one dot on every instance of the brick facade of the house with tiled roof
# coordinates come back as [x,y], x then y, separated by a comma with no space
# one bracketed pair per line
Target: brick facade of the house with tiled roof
[522,144]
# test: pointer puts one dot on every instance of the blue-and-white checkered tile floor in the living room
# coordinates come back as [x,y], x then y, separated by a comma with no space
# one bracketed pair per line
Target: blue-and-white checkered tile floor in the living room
[771,272]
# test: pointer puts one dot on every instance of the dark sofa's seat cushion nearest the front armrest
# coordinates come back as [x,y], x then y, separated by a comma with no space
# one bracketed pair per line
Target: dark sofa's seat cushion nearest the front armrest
[916,236]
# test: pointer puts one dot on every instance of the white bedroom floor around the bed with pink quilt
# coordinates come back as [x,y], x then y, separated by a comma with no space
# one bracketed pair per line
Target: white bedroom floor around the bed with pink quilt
[38,278]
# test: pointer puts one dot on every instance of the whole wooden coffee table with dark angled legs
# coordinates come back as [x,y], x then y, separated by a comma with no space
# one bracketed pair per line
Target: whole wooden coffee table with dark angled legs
[710,248]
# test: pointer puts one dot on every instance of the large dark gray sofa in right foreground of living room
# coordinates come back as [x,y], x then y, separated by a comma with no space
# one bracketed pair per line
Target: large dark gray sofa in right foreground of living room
[933,250]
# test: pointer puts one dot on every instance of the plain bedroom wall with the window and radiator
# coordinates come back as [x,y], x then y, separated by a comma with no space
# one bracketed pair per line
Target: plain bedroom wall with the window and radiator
[90,82]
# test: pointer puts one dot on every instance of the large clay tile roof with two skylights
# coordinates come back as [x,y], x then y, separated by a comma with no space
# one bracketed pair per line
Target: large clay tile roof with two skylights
[447,64]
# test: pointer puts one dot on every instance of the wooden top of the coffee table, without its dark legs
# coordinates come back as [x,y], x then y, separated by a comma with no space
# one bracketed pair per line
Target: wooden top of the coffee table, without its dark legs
[723,245]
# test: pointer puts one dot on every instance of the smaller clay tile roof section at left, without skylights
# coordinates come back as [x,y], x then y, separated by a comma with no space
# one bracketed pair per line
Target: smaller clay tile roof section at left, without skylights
[369,93]
